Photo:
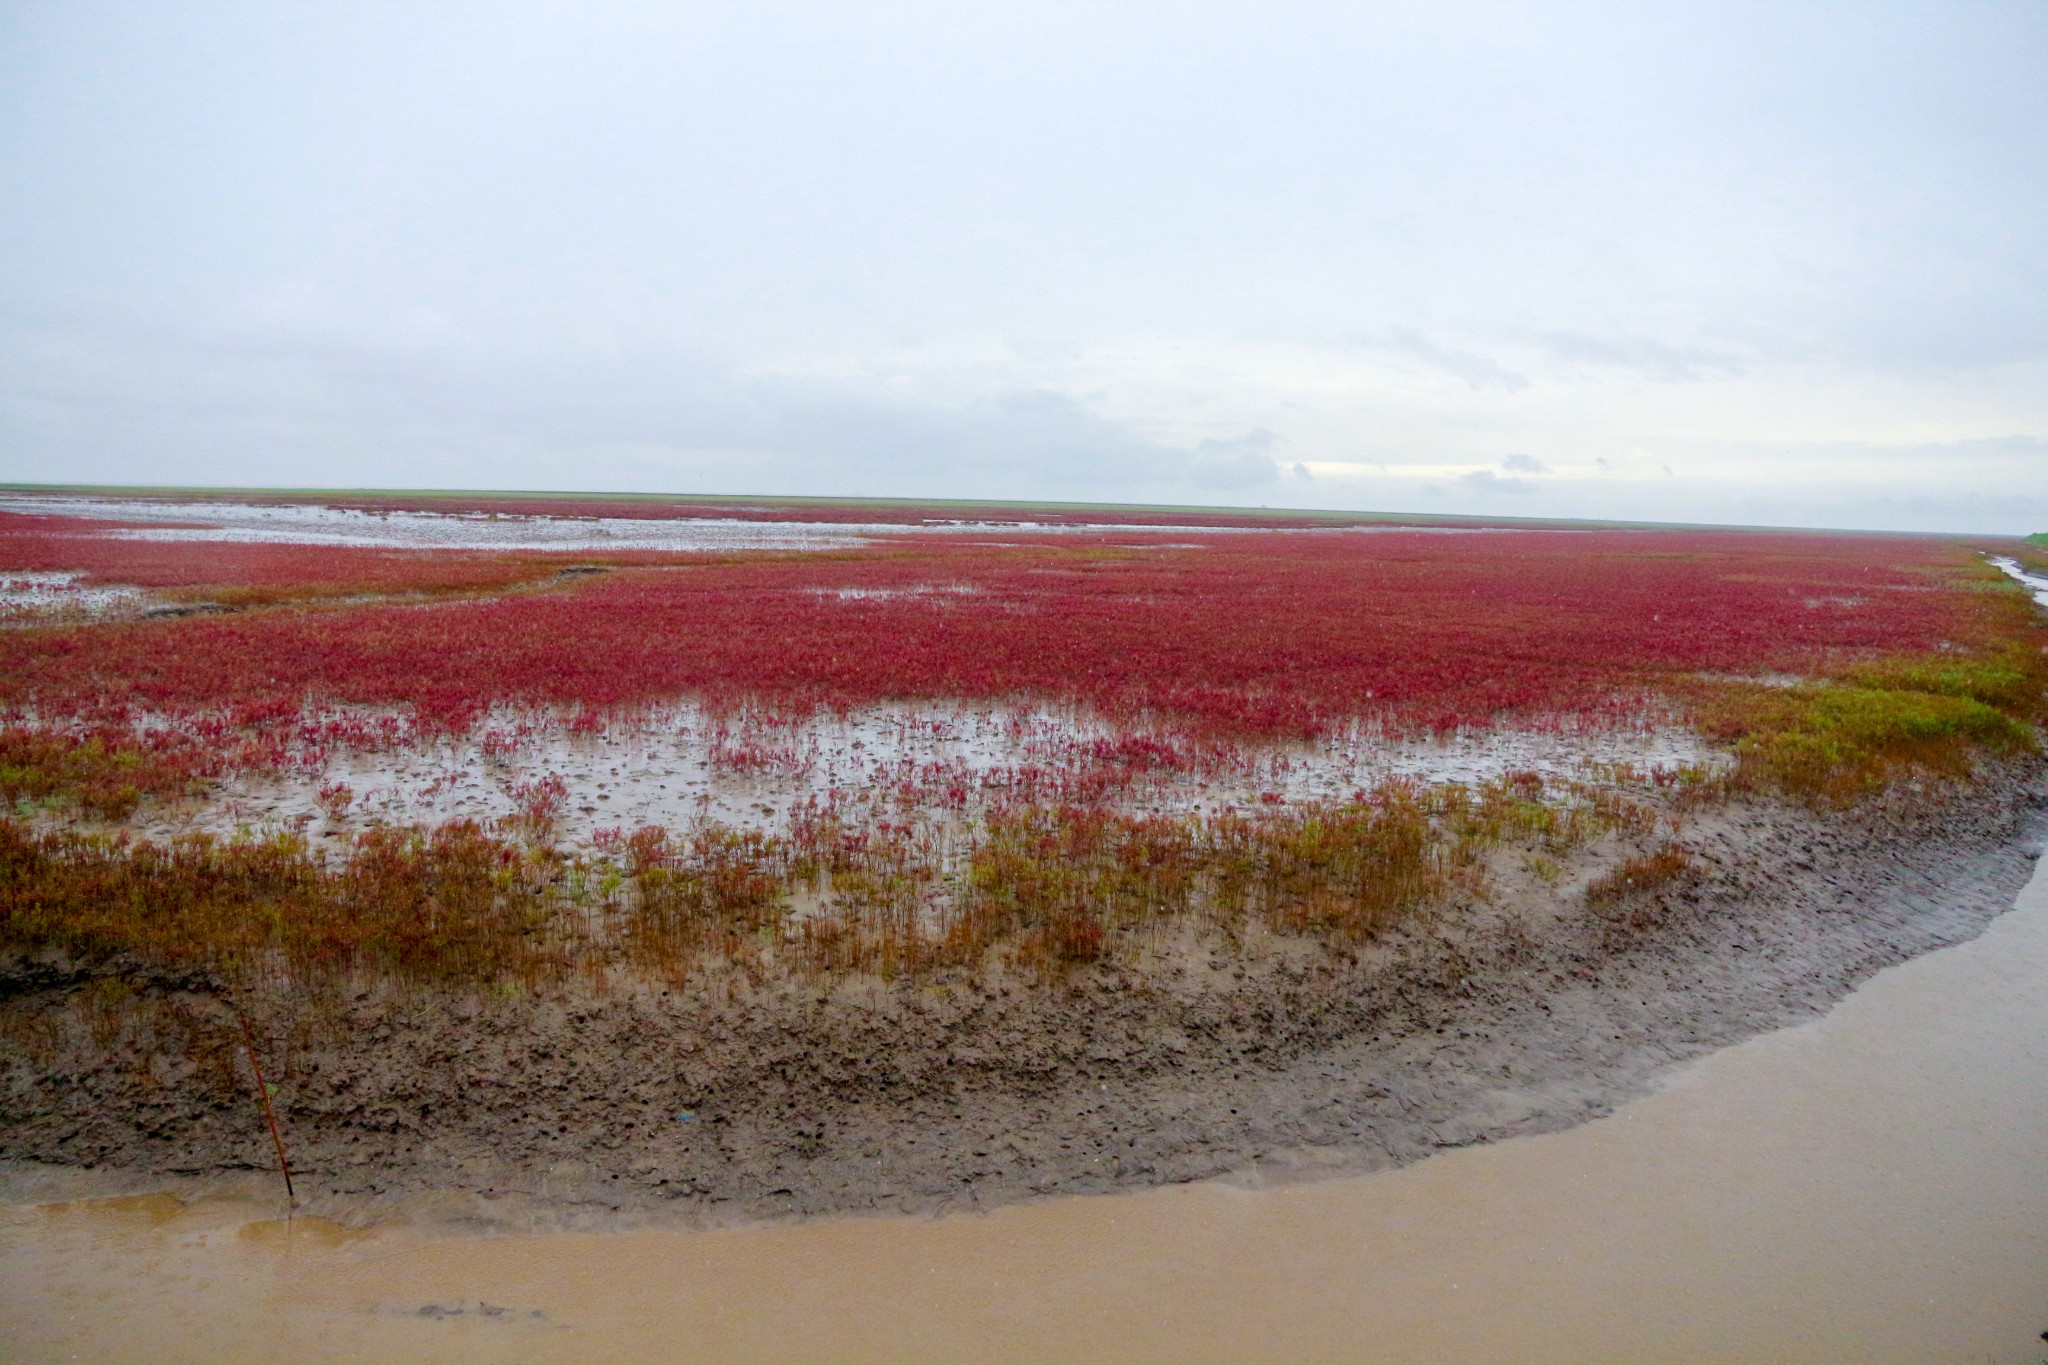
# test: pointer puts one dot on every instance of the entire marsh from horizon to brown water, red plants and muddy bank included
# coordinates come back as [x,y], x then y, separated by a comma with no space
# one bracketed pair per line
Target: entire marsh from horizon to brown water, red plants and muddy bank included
[802,856]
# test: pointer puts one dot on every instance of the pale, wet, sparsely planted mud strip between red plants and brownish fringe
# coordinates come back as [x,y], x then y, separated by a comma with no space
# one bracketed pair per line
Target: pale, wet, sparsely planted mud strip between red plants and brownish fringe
[679,766]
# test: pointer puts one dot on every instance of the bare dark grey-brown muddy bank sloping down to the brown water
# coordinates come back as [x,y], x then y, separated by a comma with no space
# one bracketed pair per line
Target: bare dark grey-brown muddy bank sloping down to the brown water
[1525,1012]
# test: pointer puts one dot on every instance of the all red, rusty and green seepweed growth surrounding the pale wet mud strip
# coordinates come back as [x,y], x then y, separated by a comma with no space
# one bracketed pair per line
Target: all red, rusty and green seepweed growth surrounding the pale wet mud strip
[1826,662]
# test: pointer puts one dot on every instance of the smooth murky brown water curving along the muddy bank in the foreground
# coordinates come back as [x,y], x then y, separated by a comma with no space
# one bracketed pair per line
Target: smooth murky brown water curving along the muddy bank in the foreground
[1869,1188]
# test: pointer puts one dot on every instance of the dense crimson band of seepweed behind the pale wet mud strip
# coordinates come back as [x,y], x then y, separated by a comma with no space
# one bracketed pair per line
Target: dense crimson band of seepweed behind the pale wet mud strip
[1252,635]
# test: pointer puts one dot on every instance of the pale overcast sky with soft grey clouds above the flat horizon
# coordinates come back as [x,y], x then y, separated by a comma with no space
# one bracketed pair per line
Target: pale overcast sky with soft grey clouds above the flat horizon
[1705,263]
